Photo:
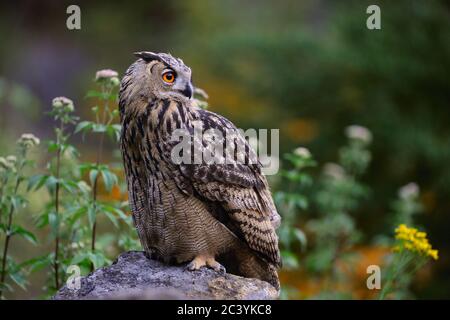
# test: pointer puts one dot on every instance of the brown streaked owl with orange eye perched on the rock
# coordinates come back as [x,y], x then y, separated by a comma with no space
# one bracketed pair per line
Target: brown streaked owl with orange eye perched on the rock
[208,214]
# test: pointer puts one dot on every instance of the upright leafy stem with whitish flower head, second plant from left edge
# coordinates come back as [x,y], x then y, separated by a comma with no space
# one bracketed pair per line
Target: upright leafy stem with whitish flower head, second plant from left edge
[64,186]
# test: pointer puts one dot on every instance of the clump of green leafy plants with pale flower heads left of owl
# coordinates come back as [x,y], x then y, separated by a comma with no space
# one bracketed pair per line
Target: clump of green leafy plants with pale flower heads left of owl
[74,209]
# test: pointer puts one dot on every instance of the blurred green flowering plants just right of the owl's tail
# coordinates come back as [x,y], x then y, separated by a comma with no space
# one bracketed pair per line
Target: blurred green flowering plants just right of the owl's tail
[335,195]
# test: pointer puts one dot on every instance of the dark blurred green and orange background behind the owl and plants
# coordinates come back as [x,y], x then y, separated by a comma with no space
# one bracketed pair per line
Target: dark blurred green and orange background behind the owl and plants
[309,68]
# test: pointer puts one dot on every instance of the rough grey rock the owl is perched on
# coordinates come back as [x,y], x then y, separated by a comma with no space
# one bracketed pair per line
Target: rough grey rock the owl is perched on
[134,276]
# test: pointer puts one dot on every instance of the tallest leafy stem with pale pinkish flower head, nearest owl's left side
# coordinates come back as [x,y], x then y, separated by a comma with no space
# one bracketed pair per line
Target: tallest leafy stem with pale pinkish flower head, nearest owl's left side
[104,125]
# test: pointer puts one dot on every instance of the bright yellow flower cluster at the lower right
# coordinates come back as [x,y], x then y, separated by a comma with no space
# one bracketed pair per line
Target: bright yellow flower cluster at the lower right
[415,241]
